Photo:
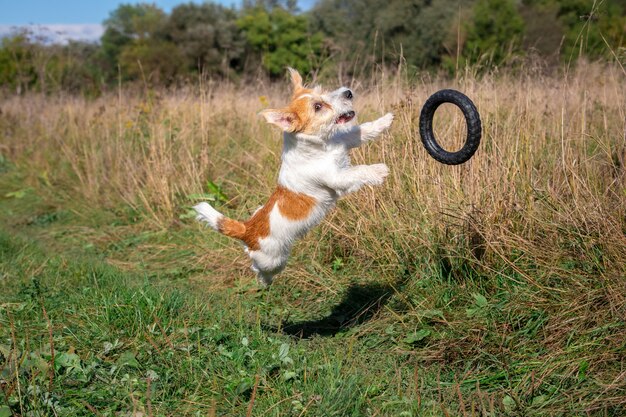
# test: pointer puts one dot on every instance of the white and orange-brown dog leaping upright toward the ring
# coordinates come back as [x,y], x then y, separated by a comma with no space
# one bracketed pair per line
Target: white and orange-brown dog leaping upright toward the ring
[319,130]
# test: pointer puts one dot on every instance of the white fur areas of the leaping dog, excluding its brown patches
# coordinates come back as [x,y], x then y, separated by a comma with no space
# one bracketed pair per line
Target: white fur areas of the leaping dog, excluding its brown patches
[317,165]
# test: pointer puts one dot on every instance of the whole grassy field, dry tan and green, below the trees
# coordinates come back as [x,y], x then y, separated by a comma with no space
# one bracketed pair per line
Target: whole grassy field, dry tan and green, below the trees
[497,287]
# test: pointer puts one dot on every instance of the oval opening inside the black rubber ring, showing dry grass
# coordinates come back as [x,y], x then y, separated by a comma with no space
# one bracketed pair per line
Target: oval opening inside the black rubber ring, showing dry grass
[449,127]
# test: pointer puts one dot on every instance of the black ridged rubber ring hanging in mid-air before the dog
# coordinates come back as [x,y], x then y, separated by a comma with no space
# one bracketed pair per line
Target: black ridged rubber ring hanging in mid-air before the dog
[472,119]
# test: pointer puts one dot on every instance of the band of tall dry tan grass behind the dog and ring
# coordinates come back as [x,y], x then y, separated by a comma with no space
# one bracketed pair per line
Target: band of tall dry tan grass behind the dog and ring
[551,163]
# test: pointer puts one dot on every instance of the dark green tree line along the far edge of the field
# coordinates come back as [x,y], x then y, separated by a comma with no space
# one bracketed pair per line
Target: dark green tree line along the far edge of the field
[143,43]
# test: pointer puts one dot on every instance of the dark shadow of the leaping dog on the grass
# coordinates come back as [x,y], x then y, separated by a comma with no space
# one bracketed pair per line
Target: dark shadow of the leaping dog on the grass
[359,304]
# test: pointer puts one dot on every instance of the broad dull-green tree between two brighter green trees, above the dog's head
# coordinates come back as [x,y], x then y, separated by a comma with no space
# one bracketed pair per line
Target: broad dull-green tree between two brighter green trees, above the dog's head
[388,30]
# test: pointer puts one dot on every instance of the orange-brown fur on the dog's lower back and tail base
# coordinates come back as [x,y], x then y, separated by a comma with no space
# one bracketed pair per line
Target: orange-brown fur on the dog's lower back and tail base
[293,206]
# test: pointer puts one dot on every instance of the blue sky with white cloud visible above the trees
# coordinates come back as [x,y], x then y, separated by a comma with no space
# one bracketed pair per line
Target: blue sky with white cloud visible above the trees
[61,20]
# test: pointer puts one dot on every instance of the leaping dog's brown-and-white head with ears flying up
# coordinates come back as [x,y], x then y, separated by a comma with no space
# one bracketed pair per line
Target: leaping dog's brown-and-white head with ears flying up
[313,111]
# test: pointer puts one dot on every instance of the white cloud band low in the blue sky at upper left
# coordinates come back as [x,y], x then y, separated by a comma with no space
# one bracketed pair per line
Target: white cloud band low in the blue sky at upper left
[58,33]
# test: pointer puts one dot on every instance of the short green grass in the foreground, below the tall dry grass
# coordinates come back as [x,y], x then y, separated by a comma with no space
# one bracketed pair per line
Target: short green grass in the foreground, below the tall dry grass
[84,334]
